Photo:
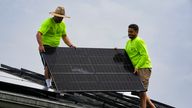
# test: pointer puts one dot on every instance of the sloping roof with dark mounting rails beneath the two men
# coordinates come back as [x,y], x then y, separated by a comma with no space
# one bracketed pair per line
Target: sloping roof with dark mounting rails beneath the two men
[16,92]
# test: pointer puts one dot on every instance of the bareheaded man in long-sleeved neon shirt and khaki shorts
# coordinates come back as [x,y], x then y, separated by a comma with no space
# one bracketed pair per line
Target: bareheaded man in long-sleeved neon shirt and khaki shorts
[137,52]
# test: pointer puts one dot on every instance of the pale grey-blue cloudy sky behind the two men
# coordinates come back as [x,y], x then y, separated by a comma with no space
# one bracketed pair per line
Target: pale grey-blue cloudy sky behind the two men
[165,25]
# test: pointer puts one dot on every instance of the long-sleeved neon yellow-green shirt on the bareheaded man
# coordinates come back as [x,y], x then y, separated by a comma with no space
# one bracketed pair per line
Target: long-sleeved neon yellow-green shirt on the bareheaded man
[137,52]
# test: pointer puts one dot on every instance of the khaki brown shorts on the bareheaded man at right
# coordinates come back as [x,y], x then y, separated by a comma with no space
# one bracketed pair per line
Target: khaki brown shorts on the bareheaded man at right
[144,75]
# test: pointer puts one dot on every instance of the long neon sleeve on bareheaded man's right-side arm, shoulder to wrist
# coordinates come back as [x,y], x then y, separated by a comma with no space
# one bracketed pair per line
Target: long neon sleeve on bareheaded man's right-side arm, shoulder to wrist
[141,47]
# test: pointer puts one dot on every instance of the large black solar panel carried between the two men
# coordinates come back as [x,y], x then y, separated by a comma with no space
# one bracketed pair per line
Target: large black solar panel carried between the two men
[92,69]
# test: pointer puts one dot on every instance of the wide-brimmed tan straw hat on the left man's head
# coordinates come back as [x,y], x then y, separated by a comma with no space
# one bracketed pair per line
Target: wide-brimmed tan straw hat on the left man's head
[59,12]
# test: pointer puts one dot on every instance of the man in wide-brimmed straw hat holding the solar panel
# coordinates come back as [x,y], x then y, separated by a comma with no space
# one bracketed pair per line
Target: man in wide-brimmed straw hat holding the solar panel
[49,35]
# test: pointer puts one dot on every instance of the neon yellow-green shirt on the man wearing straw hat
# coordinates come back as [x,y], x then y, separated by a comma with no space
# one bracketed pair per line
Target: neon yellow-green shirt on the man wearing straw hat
[52,32]
